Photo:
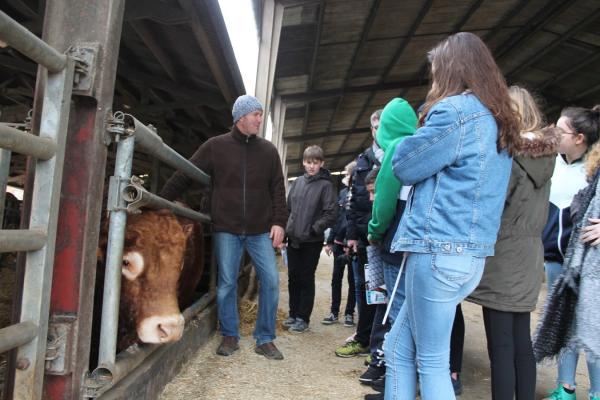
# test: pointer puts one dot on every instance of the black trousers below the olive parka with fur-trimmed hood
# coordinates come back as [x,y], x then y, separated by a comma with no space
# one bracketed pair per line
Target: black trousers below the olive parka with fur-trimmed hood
[511,354]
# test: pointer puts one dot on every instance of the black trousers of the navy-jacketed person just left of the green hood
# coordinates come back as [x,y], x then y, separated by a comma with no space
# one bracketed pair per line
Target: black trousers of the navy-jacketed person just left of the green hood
[366,312]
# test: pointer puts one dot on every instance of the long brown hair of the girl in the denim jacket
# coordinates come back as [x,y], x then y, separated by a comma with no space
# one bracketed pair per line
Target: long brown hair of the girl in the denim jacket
[463,62]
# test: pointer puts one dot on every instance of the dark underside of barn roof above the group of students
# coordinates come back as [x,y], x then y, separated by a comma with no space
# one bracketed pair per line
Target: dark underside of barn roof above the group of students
[340,60]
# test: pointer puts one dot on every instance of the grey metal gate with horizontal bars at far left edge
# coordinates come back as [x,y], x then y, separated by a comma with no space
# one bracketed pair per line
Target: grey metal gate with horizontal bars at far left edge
[28,336]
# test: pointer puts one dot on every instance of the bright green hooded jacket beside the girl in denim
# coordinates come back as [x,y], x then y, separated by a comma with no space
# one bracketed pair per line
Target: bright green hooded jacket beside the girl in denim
[398,120]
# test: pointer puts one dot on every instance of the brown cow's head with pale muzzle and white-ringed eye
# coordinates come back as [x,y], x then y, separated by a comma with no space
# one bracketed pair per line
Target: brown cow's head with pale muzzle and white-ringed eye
[153,254]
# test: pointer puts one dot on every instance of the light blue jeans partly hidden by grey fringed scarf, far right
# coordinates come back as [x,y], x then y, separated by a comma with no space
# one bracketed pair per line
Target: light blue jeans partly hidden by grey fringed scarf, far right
[567,362]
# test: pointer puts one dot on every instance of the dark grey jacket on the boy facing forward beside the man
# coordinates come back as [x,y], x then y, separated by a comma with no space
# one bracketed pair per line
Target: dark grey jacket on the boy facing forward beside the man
[312,206]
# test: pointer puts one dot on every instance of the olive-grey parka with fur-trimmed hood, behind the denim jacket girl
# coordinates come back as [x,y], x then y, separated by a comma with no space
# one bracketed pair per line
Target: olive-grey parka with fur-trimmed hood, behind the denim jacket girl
[513,276]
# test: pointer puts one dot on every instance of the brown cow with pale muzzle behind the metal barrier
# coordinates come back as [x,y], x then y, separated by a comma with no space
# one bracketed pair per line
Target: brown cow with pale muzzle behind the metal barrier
[163,261]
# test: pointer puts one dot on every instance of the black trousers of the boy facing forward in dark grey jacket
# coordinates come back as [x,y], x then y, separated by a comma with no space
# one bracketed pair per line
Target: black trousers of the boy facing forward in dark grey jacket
[302,264]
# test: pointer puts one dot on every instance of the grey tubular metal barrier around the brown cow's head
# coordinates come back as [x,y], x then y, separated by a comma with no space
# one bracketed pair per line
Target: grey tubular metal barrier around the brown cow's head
[127,195]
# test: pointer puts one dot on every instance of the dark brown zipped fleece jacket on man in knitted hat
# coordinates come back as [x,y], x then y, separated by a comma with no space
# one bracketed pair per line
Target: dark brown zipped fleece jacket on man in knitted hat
[248,191]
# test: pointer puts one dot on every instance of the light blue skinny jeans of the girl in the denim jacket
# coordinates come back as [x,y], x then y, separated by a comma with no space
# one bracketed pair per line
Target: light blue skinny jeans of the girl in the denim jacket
[420,337]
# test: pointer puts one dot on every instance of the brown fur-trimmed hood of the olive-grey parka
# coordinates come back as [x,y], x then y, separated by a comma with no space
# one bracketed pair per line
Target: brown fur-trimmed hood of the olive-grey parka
[534,145]
